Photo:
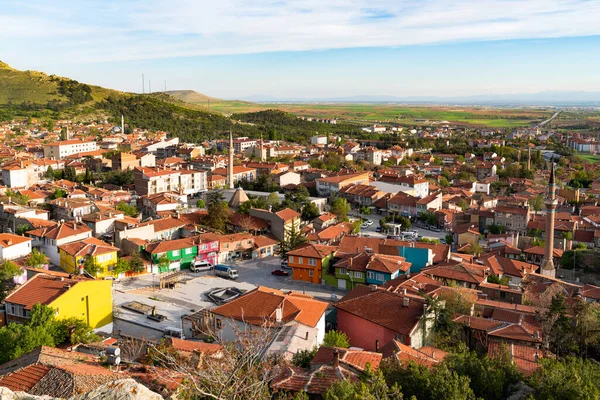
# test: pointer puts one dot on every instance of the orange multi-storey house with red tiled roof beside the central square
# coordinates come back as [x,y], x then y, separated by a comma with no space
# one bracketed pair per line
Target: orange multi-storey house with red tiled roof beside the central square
[310,261]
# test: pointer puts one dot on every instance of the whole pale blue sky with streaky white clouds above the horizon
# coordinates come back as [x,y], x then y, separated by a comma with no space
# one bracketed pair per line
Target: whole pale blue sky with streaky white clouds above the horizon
[310,49]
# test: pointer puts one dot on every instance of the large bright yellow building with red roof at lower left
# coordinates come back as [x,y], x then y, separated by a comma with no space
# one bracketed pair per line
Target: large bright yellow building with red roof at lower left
[79,297]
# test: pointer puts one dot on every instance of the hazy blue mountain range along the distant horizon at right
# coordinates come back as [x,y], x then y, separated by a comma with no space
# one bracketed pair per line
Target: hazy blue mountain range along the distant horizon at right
[549,98]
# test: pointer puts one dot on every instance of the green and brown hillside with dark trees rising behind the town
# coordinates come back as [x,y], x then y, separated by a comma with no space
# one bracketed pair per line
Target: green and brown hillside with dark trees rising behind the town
[35,94]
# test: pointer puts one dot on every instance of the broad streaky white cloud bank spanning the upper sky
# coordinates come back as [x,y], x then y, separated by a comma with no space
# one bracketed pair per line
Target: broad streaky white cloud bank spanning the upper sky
[89,31]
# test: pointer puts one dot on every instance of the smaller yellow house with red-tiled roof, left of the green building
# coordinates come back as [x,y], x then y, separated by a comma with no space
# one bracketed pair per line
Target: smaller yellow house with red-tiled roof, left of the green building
[73,255]
